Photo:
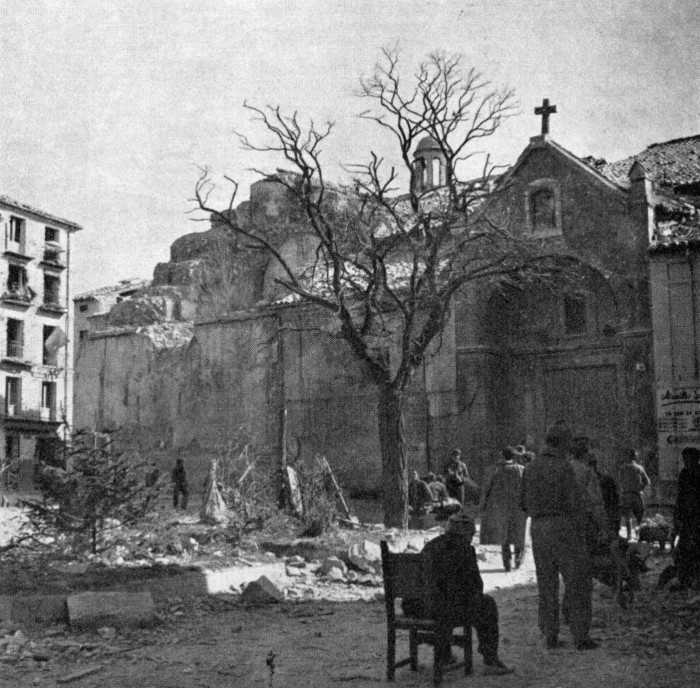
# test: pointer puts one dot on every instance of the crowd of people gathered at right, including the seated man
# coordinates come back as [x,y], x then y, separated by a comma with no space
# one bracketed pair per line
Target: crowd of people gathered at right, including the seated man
[575,511]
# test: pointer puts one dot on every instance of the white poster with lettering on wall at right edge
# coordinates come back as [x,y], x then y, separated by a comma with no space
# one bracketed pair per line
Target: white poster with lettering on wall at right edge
[678,425]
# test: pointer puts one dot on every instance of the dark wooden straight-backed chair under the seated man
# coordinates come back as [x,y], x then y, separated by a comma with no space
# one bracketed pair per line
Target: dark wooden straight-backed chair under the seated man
[405,579]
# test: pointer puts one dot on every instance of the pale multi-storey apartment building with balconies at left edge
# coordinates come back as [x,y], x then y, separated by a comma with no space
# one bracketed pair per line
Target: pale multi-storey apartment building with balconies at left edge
[35,350]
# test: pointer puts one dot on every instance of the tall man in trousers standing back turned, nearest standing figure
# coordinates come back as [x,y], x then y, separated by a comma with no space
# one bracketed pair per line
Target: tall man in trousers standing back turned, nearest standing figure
[551,497]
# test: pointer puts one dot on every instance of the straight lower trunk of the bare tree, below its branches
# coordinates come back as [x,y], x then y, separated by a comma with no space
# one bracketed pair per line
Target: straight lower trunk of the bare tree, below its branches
[394,467]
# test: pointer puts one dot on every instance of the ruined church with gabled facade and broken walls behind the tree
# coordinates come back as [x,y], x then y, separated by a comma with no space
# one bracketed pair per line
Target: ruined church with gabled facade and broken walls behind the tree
[212,346]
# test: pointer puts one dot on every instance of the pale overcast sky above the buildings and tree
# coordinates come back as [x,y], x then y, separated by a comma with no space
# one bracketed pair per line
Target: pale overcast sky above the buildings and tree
[108,108]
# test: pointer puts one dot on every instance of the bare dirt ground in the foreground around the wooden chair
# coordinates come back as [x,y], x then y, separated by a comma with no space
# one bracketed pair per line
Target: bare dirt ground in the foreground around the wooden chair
[218,642]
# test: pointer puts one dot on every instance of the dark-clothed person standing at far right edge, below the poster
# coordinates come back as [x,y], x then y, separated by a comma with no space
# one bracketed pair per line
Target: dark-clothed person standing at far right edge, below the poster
[686,520]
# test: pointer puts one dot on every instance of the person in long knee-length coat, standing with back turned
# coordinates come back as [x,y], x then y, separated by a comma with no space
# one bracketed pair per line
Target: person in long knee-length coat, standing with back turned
[502,520]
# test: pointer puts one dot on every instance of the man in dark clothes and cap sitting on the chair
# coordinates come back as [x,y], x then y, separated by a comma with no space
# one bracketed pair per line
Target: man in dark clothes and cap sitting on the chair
[456,592]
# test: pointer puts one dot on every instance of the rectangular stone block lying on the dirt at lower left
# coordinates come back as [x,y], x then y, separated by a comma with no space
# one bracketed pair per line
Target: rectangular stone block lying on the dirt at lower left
[91,610]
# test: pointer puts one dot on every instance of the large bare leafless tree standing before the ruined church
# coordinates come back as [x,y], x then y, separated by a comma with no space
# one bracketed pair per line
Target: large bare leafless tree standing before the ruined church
[387,265]
